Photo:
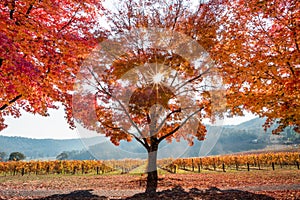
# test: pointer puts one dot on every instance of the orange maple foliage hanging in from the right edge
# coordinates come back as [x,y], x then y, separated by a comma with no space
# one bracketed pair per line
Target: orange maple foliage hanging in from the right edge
[259,56]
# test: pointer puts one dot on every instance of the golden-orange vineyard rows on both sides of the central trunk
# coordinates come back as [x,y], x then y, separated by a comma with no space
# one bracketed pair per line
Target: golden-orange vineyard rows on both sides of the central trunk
[226,162]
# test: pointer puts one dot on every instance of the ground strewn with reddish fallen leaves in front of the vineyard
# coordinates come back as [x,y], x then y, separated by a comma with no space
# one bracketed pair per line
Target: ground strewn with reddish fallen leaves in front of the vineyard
[260,184]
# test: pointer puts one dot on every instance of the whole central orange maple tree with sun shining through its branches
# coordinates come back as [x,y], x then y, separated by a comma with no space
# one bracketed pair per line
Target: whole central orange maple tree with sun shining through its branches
[152,83]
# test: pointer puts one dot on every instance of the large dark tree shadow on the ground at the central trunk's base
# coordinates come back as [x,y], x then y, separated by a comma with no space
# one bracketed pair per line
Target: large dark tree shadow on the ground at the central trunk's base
[194,193]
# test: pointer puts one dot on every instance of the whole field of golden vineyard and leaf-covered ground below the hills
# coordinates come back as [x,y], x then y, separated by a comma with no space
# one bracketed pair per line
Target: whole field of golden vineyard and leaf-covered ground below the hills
[277,177]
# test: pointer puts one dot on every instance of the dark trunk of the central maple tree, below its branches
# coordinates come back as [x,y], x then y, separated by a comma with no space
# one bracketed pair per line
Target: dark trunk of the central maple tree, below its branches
[152,177]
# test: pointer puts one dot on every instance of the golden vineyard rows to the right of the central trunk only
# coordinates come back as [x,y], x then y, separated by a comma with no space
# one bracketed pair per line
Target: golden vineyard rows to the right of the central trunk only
[236,162]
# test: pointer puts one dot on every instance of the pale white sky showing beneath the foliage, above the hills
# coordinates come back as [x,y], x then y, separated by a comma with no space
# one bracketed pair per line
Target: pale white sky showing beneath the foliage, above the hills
[55,126]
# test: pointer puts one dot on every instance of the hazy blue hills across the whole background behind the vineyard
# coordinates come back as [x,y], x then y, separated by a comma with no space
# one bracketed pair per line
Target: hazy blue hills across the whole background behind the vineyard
[220,140]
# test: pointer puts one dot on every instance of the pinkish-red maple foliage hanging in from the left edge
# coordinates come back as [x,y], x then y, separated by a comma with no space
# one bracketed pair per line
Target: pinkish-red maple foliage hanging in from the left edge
[42,44]
